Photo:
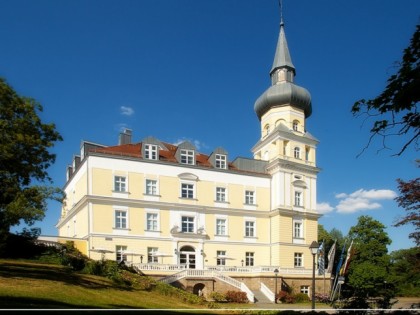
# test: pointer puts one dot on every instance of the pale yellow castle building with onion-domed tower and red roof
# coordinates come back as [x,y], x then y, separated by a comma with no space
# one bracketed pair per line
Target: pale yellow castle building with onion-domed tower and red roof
[206,222]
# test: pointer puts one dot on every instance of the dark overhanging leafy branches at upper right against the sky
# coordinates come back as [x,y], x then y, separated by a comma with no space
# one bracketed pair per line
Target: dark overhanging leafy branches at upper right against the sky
[396,108]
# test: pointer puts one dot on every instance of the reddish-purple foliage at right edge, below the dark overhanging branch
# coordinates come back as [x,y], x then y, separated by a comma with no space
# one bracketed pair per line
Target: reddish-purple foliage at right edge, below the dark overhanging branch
[409,199]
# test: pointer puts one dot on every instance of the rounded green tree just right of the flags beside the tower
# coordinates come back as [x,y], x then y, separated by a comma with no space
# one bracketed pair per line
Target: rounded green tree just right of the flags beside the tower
[369,264]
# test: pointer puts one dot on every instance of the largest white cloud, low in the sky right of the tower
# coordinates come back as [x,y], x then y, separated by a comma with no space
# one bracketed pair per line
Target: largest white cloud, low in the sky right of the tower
[361,200]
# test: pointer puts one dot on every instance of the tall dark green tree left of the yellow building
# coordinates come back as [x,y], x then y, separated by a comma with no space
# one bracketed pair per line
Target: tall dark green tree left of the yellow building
[24,159]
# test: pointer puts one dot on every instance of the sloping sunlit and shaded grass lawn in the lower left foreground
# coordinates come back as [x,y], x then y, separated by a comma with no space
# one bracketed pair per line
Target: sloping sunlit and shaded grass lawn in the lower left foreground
[33,285]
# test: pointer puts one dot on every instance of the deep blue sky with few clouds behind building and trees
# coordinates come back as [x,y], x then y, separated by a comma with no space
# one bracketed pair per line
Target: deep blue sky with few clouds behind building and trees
[192,69]
